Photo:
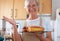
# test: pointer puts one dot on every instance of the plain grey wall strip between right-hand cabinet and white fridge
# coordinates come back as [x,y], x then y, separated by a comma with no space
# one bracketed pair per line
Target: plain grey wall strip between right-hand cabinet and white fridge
[55,5]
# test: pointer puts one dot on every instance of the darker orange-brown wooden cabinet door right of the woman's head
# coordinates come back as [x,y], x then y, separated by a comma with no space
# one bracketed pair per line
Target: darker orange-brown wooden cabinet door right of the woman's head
[45,6]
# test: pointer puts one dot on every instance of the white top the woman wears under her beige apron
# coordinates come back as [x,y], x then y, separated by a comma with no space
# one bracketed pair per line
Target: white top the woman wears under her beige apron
[36,22]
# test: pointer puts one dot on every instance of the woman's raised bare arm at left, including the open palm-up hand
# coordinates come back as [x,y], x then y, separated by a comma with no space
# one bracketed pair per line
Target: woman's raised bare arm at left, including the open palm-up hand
[16,36]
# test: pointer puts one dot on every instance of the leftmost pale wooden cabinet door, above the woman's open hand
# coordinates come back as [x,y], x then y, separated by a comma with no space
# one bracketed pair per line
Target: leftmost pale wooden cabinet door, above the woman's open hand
[5,8]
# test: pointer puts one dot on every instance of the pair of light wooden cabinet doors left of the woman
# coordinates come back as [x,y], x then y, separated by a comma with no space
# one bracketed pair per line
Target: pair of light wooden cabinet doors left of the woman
[12,8]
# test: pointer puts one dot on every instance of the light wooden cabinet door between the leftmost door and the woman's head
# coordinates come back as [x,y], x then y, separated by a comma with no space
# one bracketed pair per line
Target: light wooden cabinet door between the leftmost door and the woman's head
[20,12]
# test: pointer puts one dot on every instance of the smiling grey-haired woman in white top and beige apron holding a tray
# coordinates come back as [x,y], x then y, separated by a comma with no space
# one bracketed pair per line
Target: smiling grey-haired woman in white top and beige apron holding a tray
[32,8]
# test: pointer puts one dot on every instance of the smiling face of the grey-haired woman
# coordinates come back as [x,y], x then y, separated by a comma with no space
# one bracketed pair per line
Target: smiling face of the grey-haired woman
[32,8]
